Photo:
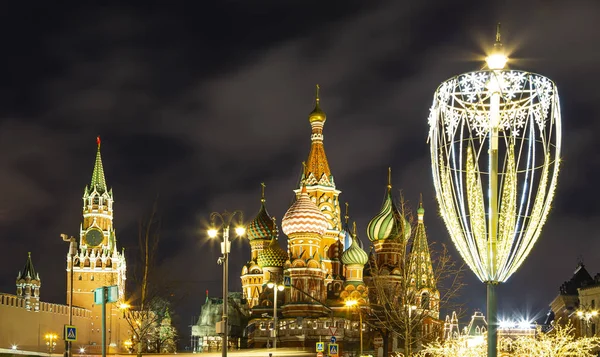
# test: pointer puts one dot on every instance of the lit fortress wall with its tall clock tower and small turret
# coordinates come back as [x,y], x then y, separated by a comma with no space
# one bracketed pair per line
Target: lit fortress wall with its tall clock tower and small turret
[98,263]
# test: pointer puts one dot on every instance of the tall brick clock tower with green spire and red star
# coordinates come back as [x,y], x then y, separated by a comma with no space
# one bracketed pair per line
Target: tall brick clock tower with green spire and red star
[98,262]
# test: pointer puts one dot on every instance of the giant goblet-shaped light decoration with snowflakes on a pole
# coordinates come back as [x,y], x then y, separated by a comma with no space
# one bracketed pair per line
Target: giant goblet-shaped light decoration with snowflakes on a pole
[495,139]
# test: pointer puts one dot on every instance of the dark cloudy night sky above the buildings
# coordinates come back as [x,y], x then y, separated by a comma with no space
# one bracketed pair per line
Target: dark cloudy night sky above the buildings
[199,102]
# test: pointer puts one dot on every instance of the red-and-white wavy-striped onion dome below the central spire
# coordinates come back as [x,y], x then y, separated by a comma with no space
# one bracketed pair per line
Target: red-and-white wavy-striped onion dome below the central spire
[304,217]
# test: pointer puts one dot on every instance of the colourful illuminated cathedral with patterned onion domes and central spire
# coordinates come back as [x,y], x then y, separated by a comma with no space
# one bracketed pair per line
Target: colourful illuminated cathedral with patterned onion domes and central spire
[324,265]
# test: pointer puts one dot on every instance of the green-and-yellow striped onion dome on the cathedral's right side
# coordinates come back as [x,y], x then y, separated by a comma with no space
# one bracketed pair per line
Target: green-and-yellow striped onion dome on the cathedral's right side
[388,223]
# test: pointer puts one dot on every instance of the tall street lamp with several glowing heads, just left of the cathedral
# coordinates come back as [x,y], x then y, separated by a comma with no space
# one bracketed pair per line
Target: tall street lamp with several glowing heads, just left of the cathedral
[213,232]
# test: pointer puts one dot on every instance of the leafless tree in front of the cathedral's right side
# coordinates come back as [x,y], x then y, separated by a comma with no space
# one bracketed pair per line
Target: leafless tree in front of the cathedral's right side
[399,304]
